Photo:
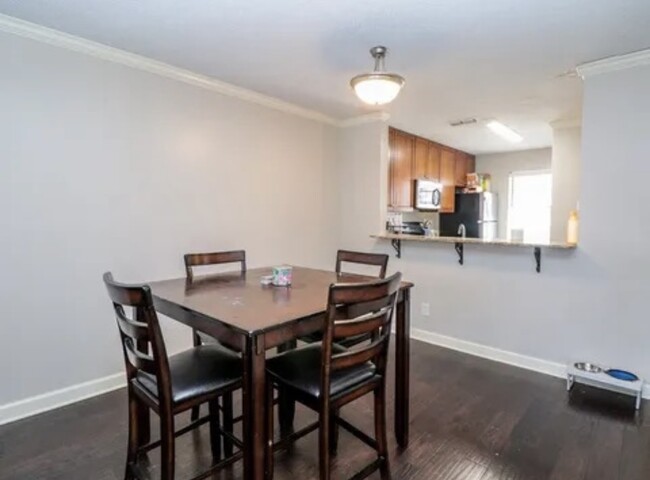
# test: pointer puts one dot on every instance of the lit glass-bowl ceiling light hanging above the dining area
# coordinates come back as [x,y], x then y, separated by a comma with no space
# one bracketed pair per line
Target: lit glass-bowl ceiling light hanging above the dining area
[378,87]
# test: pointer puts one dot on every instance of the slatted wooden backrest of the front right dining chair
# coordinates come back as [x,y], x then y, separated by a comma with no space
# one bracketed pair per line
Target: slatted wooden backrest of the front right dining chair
[354,309]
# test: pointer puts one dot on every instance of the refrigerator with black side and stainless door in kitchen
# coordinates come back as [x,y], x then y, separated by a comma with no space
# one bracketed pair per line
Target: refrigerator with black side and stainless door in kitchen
[477,211]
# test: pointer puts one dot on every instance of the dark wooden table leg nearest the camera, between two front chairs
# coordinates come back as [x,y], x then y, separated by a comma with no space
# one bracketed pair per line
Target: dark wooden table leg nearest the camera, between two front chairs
[253,408]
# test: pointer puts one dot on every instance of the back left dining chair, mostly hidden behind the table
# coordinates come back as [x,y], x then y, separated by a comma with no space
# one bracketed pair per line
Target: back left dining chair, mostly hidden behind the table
[194,260]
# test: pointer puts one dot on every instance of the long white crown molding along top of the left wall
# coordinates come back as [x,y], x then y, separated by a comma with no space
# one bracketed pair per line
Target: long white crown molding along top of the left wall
[60,39]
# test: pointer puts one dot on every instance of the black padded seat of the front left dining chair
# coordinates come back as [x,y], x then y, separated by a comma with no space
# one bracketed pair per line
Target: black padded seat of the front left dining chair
[196,372]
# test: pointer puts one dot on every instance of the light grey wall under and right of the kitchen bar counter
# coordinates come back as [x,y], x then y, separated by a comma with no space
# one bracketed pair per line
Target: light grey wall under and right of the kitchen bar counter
[589,304]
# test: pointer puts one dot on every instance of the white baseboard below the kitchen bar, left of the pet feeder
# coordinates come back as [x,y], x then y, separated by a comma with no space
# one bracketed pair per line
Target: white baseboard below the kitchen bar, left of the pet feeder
[534,364]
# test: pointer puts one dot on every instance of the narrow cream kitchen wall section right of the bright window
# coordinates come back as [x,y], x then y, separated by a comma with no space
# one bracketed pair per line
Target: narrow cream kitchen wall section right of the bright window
[567,168]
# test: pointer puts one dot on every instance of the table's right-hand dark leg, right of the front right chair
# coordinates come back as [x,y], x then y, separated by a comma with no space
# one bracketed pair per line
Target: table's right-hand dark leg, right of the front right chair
[402,368]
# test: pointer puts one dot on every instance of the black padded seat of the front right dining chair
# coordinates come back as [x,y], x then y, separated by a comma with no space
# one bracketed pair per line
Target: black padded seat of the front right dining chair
[300,369]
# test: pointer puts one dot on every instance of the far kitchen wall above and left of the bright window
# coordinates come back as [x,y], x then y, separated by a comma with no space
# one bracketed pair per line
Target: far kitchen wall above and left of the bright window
[501,165]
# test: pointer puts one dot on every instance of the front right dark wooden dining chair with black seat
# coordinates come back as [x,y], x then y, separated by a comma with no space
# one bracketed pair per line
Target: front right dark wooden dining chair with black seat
[325,376]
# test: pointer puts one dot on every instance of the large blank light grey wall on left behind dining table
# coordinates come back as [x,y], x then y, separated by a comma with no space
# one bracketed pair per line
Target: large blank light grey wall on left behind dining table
[108,168]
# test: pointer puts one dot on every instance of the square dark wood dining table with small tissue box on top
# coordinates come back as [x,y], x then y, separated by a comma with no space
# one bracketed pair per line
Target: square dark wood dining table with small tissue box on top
[251,318]
